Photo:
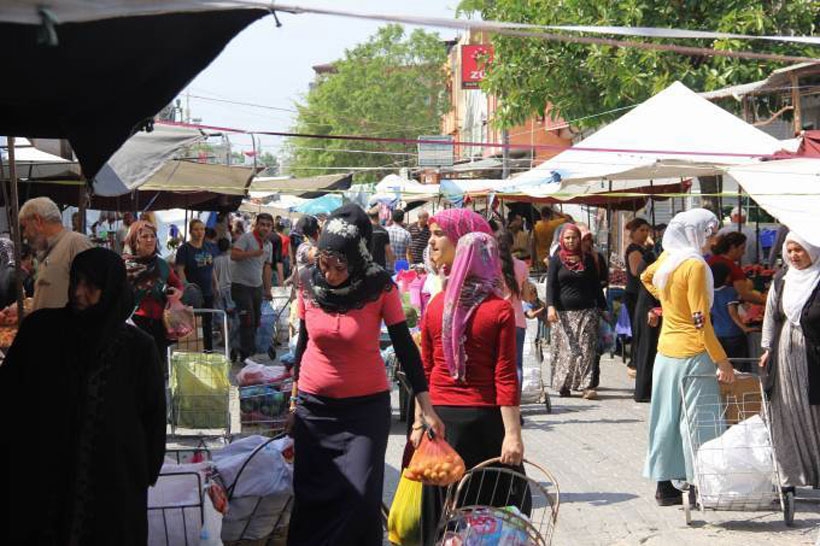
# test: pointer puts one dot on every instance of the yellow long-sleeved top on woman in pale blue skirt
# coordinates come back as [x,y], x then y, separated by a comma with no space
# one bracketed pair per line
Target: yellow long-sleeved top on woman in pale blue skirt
[685,295]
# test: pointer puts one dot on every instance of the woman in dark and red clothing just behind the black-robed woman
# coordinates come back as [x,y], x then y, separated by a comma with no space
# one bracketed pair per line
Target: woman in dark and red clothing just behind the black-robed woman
[152,279]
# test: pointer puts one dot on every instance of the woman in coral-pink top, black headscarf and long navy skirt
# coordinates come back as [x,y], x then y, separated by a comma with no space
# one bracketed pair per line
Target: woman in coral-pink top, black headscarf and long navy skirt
[342,411]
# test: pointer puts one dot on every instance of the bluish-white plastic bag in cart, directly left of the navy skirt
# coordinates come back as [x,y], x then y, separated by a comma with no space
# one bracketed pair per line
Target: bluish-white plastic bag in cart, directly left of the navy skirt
[266,473]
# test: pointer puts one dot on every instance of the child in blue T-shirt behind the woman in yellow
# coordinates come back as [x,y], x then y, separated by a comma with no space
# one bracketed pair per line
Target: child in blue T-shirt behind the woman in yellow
[729,328]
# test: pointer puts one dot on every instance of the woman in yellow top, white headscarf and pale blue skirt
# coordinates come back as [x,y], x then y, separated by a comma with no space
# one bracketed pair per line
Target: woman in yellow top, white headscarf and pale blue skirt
[683,283]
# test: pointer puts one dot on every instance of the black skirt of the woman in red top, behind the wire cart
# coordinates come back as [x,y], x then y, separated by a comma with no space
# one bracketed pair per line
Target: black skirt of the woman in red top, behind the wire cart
[476,433]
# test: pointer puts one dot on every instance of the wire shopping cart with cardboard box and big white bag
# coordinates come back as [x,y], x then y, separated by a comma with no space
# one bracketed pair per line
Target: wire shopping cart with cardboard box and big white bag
[730,442]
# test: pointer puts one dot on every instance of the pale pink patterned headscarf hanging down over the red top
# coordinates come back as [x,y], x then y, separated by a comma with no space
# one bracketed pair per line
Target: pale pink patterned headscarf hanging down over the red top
[476,274]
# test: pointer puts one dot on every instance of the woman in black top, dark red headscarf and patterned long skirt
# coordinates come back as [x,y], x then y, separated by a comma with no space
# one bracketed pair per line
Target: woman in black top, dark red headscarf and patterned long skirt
[575,302]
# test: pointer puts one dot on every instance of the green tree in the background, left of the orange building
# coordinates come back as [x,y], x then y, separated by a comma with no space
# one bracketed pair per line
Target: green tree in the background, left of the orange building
[391,86]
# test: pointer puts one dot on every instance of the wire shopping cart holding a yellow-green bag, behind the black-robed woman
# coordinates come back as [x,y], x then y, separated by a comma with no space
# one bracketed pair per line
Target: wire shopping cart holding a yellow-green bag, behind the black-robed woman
[199,384]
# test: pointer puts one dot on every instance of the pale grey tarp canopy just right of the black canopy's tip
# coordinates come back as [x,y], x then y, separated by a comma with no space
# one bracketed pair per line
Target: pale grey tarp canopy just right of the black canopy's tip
[142,156]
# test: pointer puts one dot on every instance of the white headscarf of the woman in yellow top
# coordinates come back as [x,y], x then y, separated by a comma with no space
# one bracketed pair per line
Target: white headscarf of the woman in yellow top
[684,239]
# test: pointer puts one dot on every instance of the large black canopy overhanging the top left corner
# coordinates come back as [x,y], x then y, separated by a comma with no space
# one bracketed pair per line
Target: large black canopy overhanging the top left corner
[96,72]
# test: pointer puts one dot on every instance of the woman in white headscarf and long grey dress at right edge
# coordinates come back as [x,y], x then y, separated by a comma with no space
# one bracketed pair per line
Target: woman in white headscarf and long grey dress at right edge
[791,340]
